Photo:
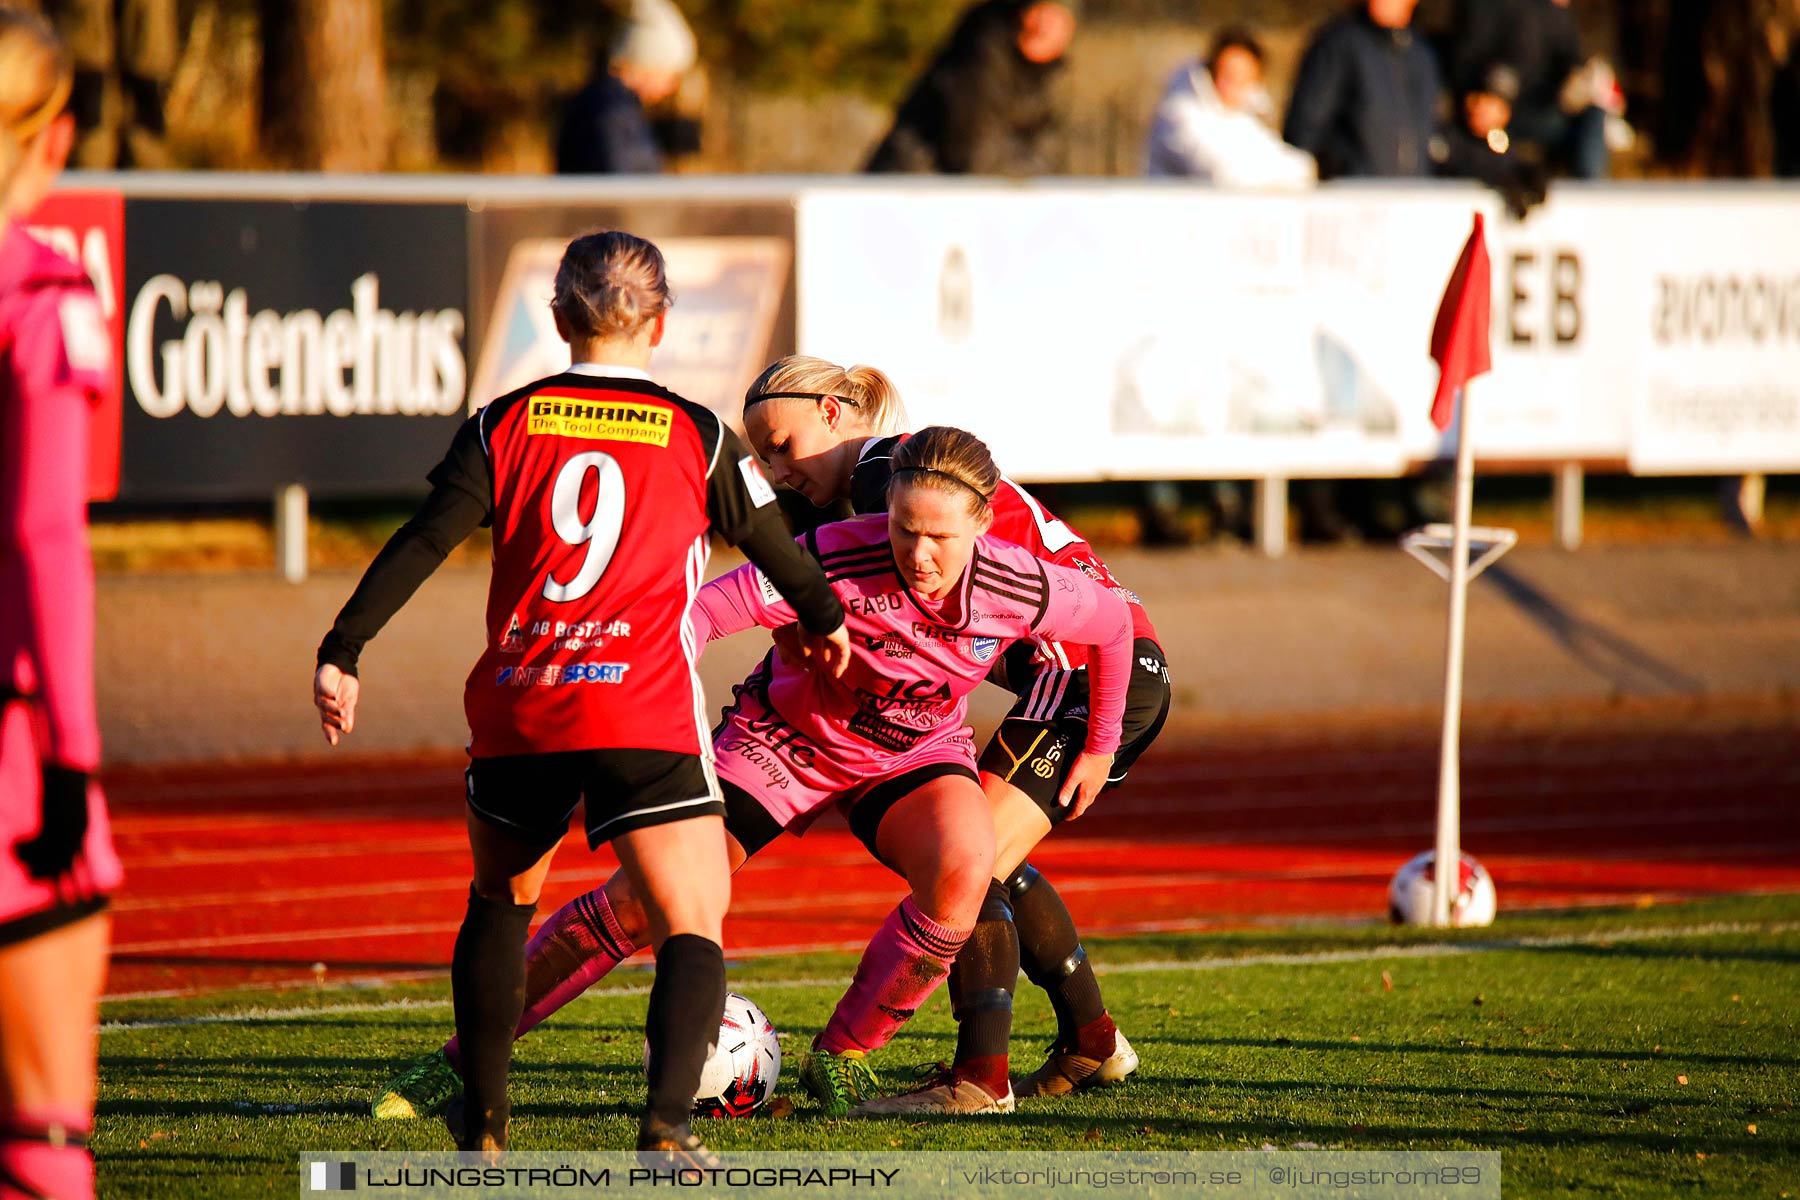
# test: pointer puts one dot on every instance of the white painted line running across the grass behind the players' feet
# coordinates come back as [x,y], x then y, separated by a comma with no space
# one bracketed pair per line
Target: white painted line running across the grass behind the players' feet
[1317,958]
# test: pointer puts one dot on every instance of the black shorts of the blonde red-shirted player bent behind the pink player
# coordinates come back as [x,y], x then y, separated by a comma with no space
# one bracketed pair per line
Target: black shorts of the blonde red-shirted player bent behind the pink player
[1045,733]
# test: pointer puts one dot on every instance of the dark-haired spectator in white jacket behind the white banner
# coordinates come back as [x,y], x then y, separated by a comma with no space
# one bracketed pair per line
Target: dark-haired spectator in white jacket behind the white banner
[1212,123]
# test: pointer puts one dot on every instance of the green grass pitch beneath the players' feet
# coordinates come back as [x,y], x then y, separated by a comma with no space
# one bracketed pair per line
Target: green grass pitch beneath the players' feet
[1608,1053]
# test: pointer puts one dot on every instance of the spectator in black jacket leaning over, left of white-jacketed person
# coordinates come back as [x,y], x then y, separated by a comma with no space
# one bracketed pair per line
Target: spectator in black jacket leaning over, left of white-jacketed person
[985,105]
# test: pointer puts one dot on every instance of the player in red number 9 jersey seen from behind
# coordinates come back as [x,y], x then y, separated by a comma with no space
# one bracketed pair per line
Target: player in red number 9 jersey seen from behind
[602,488]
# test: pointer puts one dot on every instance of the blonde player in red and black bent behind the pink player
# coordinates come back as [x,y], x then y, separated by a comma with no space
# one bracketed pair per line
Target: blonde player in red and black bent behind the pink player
[829,434]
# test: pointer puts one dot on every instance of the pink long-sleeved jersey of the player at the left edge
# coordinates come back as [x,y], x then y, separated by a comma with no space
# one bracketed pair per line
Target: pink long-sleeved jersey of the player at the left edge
[48,587]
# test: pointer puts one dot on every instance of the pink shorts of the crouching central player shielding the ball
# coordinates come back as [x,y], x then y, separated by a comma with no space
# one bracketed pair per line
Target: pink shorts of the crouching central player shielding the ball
[796,780]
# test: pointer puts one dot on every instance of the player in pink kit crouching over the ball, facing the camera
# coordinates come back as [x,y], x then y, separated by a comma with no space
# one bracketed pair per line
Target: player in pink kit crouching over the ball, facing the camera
[931,605]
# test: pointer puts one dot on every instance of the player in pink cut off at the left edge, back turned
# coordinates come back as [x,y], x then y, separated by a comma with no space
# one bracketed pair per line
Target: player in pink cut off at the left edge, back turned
[57,857]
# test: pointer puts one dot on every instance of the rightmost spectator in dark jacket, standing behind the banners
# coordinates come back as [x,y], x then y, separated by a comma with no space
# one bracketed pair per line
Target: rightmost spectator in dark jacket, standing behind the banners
[1563,100]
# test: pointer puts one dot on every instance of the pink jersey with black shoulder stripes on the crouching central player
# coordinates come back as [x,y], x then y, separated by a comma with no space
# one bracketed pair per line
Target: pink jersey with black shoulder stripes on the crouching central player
[913,661]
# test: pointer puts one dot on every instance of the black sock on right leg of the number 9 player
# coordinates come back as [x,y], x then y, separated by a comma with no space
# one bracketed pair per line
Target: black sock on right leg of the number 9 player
[687,1005]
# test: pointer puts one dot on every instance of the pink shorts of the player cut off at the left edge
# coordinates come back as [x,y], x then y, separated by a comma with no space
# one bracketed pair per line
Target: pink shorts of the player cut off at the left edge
[28,906]
